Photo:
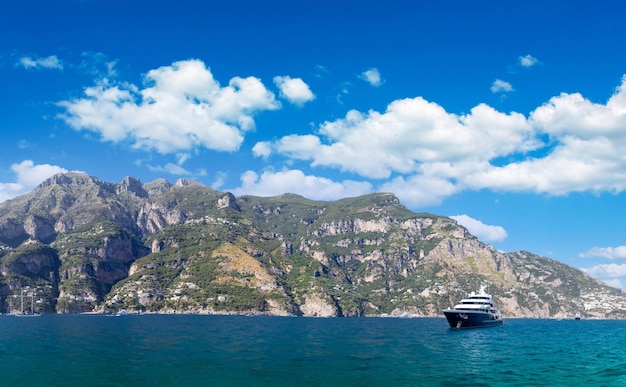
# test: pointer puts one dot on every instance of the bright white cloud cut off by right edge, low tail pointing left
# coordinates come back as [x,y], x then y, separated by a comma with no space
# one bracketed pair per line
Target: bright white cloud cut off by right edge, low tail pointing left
[586,147]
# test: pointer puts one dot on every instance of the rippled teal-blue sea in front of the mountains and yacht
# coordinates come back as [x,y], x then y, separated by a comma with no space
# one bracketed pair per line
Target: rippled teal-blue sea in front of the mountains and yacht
[197,350]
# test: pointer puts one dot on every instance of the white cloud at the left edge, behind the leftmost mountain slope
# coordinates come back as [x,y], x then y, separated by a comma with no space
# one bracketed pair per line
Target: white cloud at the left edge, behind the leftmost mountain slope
[28,176]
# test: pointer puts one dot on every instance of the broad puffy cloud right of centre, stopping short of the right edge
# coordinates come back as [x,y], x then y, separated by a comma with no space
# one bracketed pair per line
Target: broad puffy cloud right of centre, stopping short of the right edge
[412,136]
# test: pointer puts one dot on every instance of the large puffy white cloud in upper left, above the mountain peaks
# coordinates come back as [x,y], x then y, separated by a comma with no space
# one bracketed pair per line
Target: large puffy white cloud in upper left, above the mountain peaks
[178,108]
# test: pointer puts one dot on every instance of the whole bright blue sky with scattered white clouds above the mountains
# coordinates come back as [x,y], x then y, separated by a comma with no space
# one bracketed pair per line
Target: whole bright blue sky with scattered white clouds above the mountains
[508,116]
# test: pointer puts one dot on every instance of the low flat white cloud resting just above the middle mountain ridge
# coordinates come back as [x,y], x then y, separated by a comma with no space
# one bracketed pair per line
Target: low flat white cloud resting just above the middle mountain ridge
[295,181]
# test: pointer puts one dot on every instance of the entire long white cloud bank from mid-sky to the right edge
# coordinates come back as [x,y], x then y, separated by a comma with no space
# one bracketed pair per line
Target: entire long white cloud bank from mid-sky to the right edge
[569,144]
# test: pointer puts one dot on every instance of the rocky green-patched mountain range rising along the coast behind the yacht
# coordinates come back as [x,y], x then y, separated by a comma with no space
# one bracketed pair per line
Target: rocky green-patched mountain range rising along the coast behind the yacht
[79,244]
